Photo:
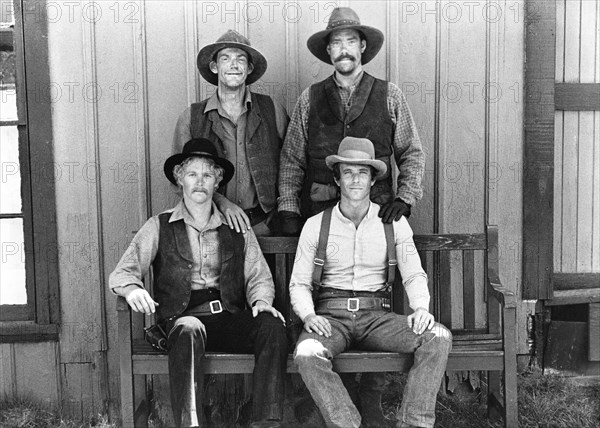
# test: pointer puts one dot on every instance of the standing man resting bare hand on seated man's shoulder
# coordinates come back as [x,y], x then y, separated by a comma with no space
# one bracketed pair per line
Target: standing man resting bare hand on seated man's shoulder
[247,128]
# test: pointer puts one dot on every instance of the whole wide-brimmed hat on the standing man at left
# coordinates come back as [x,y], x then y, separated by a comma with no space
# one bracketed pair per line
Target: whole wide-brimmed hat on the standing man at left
[231,39]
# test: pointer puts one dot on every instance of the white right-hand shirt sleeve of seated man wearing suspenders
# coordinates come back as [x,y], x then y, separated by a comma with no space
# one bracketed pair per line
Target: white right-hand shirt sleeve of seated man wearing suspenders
[414,278]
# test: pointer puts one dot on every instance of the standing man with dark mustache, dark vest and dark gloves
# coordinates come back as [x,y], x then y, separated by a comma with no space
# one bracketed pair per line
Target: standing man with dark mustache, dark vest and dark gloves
[349,103]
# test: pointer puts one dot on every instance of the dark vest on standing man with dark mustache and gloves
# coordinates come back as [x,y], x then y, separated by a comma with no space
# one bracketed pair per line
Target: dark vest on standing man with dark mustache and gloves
[328,124]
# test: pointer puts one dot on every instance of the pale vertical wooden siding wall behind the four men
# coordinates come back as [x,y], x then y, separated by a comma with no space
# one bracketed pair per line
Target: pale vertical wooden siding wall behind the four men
[126,71]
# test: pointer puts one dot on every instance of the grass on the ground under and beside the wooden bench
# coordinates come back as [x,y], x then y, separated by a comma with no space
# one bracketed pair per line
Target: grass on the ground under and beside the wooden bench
[545,401]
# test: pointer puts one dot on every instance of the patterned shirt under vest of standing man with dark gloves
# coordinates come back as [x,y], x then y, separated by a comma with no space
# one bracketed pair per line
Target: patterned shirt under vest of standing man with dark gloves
[408,151]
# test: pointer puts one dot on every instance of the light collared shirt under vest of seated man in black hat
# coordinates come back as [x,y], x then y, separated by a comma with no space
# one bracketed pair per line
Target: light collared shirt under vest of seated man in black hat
[205,245]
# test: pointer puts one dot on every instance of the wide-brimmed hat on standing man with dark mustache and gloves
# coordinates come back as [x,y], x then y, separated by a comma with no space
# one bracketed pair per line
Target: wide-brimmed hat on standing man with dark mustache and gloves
[344,18]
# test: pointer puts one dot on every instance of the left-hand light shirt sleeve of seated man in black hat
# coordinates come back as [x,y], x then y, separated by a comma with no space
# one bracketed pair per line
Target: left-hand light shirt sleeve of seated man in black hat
[138,257]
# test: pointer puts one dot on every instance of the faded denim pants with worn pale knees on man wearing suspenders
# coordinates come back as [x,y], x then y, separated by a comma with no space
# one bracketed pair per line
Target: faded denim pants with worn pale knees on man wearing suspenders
[373,331]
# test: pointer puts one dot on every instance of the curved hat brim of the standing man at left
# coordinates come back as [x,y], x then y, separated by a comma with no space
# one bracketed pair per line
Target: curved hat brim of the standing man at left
[205,56]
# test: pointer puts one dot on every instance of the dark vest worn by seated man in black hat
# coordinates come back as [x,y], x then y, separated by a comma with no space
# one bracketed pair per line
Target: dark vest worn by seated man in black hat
[172,269]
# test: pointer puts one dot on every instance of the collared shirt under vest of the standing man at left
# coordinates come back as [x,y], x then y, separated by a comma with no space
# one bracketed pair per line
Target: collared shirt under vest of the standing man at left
[241,189]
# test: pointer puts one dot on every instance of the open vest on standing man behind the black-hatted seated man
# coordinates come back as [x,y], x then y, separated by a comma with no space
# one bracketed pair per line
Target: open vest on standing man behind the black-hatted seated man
[262,143]
